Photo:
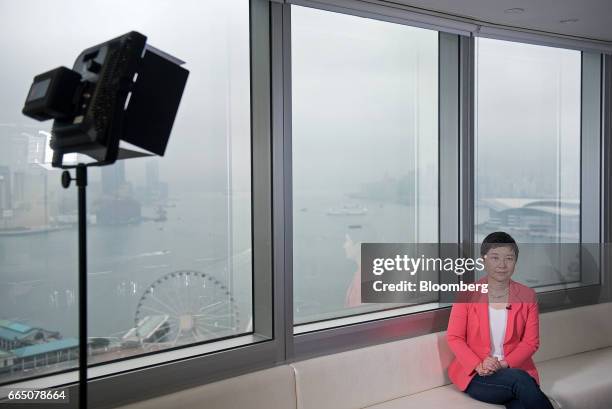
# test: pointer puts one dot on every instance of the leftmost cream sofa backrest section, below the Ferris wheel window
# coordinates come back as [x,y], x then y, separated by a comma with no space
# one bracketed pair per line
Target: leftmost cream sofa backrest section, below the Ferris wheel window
[270,388]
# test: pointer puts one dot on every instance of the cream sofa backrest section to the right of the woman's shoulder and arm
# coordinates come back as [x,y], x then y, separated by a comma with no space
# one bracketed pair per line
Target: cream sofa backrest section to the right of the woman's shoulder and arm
[574,330]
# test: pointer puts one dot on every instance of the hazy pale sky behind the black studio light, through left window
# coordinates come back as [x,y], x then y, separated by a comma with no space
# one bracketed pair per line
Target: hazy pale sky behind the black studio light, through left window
[211,36]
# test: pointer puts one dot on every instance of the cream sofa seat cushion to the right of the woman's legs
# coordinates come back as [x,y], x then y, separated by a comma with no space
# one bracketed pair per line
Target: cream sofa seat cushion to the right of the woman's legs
[580,381]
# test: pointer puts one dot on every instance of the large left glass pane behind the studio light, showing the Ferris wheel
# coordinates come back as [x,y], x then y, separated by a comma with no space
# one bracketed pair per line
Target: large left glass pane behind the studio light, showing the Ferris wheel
[169,238]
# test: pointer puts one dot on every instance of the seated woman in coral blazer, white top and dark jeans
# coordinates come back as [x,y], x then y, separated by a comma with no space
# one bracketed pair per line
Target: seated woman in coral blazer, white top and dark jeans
[494,335]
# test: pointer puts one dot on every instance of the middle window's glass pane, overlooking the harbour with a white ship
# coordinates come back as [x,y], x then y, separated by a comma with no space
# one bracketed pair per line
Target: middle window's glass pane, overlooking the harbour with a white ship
[365,151]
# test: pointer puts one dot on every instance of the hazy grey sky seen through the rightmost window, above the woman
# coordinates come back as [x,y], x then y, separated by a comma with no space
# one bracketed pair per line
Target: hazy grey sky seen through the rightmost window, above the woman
[528,120]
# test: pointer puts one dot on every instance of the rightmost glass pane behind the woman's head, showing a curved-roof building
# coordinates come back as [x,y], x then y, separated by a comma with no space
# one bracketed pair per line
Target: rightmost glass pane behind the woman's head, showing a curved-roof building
[528,148]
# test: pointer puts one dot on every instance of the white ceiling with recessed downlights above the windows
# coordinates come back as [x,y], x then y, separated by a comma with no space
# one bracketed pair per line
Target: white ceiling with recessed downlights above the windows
[594,17]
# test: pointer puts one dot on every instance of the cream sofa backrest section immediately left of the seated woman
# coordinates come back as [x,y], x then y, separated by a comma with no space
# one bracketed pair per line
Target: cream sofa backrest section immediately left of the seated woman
[366,376]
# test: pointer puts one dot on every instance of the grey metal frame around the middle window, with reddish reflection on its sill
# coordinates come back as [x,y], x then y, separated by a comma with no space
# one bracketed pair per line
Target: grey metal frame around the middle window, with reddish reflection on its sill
[338,336]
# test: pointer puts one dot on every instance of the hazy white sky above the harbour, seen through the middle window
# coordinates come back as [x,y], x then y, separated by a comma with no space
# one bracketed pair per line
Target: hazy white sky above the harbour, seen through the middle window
[364,101]
